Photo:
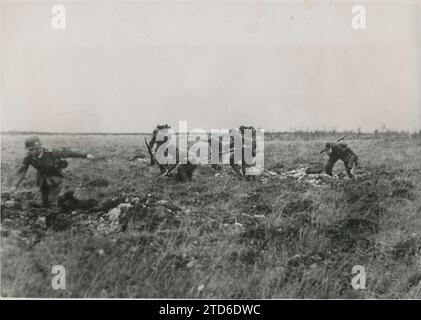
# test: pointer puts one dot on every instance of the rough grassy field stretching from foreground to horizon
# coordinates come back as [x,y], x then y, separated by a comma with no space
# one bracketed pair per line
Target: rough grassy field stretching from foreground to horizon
[221,236]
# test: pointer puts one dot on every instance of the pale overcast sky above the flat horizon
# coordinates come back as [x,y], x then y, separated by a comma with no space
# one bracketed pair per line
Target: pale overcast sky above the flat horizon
[124,66]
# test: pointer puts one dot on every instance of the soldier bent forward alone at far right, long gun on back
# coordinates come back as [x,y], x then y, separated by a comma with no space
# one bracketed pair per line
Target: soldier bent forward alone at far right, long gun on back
[340,151]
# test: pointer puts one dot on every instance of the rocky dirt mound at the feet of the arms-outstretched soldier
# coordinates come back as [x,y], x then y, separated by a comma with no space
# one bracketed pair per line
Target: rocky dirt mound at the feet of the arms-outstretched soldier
[149,212]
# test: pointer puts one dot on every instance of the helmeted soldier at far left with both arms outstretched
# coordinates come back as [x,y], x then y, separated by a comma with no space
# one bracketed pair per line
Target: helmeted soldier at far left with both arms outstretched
[49,164]
